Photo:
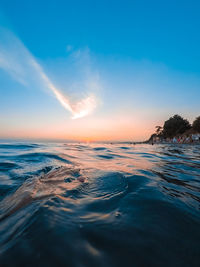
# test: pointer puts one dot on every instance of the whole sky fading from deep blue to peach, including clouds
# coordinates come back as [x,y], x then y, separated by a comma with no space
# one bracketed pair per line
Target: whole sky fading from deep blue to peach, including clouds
[97,70]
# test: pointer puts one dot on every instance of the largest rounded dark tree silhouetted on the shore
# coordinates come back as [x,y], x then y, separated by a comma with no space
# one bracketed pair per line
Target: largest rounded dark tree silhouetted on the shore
[175,125]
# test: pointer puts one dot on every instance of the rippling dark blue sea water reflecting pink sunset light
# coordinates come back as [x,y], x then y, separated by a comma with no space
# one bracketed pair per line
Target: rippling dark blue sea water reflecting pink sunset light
[99,205]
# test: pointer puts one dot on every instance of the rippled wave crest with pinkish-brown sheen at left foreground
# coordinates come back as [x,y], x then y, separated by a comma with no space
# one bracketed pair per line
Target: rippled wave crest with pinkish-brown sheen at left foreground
[50,184]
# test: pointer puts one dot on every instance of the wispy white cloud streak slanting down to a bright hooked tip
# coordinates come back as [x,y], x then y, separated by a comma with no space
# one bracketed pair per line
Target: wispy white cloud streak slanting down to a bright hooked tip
[16,60]
